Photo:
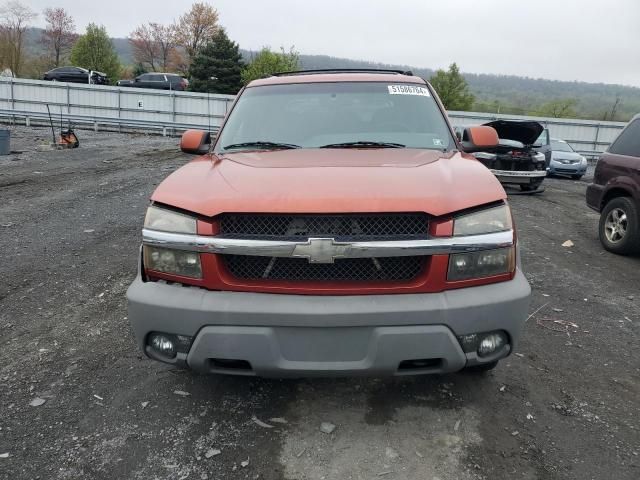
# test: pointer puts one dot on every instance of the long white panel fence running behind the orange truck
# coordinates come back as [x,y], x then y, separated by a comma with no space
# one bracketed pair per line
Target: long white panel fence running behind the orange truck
[169,112]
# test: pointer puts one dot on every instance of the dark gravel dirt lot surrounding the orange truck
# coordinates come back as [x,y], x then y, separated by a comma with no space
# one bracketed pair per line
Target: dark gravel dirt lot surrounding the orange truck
[566,406]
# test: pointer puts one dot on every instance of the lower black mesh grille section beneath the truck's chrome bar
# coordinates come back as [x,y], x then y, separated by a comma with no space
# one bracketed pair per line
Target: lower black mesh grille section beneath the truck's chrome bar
[348,269]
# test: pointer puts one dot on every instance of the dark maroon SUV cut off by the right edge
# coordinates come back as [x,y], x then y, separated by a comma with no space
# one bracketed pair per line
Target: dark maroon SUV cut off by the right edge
[615,192]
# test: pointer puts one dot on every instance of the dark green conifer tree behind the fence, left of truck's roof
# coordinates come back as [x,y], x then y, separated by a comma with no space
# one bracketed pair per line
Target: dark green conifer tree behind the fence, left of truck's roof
[217,67]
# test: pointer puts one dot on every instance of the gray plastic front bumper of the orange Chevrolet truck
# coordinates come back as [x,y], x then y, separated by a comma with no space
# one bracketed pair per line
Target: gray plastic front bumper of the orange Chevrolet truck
[300,335]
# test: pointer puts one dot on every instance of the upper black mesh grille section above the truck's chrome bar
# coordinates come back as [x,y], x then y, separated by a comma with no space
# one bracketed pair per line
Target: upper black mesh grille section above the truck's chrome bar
[341,227]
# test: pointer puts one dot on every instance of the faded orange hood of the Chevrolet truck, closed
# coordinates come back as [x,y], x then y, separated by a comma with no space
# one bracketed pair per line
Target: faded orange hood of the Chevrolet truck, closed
[330,181]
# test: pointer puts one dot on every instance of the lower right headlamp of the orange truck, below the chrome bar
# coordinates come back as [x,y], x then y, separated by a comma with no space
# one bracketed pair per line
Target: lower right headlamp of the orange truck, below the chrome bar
[485,263]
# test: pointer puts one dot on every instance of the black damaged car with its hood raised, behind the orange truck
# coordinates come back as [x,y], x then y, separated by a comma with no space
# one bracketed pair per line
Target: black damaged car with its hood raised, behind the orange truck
[514,161]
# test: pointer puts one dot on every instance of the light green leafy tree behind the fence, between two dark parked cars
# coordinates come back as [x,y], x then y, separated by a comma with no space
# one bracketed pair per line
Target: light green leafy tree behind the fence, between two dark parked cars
[94,51]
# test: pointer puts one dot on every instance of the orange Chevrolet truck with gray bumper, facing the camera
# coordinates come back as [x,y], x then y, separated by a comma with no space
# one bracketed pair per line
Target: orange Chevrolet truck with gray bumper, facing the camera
[333,227]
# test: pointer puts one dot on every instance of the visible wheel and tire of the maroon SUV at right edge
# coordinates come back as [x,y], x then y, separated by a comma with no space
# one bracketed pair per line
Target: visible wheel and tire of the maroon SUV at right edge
[619,227]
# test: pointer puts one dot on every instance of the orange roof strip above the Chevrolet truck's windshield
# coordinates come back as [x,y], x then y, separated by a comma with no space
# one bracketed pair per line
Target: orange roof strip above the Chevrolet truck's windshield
[329,76]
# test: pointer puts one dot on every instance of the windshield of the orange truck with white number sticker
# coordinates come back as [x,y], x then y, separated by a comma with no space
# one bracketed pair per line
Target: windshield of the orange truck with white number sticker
[314,115]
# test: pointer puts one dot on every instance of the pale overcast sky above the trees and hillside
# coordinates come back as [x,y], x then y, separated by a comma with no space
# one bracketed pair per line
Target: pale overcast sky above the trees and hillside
[586,40]
